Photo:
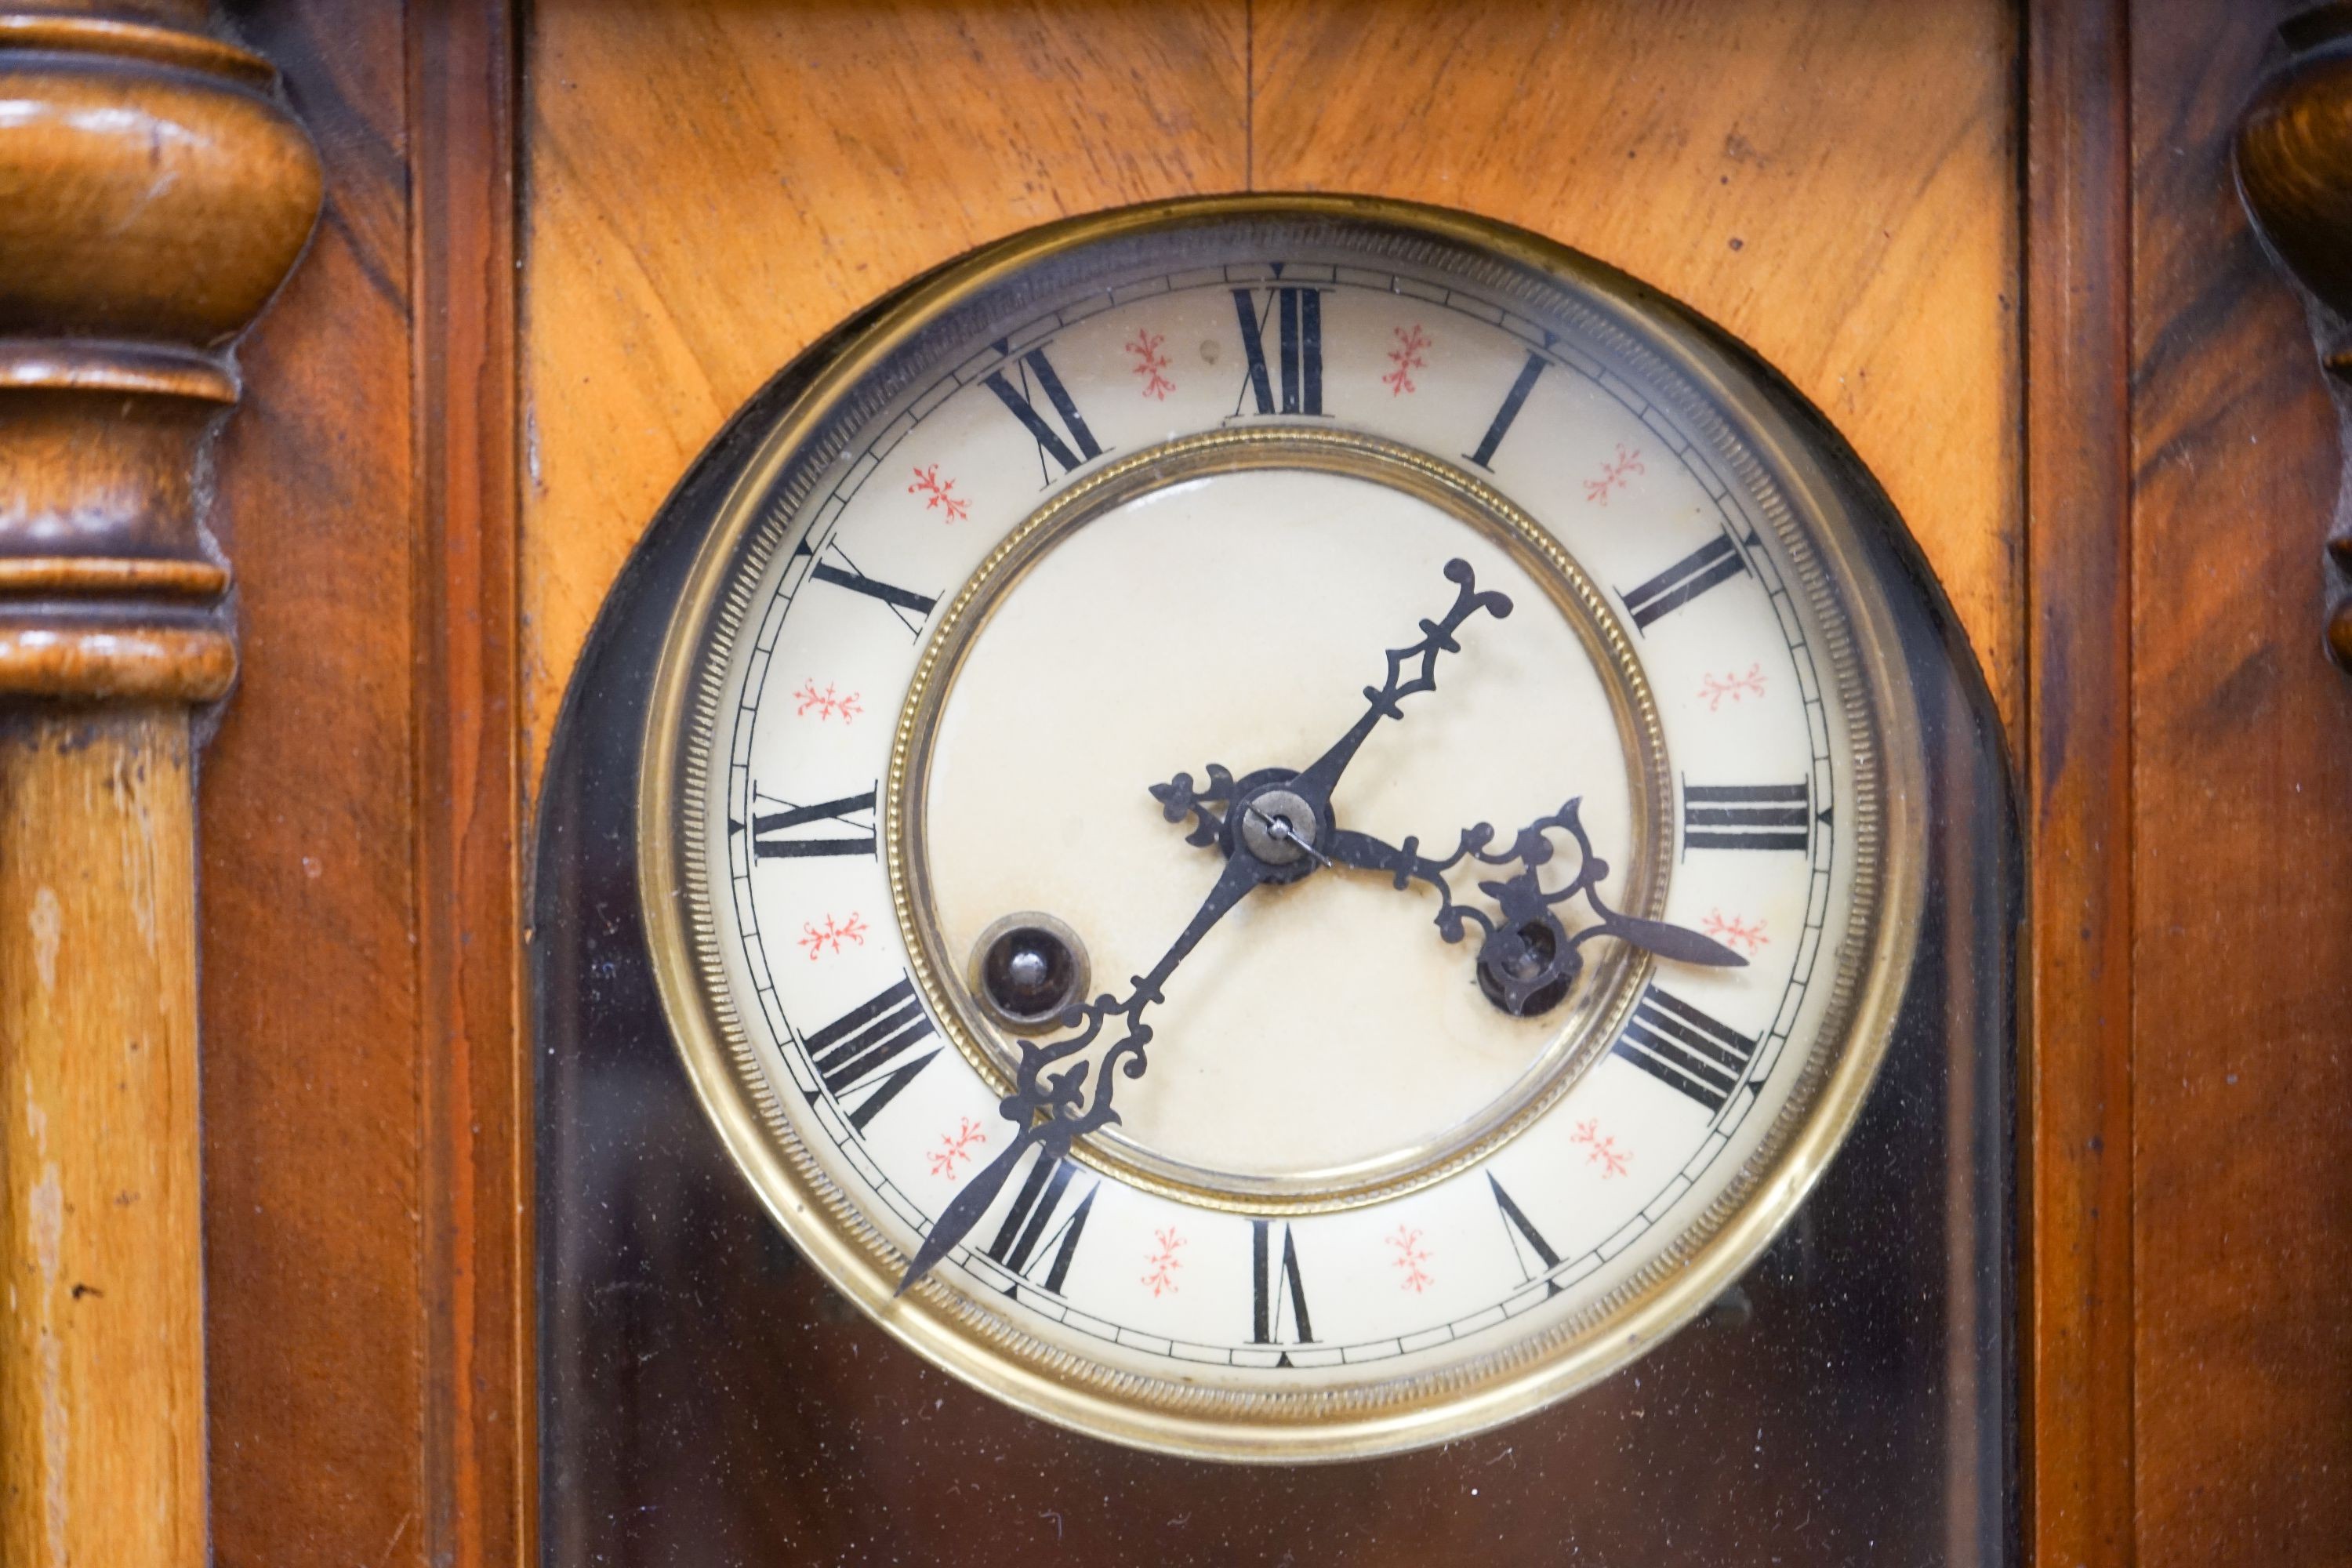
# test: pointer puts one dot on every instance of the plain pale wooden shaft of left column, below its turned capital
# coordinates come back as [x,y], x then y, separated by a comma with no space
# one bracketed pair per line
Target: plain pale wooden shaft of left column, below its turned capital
[102,1379]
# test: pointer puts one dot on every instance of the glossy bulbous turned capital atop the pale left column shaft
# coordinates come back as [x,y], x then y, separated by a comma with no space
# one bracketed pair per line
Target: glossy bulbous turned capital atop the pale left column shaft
[154,196]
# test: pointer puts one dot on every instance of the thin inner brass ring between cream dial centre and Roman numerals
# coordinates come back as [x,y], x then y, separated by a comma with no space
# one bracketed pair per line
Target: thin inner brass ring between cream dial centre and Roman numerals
[1579,1036]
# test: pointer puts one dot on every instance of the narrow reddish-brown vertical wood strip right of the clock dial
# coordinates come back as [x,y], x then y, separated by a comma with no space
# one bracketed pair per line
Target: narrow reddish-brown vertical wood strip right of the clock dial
[2078,777]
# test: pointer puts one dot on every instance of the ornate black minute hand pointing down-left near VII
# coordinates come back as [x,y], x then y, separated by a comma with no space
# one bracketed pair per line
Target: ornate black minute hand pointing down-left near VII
[1053,1108]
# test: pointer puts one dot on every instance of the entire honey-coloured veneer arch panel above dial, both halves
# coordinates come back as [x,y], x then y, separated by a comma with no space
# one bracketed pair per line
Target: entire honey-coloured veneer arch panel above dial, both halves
[1862,234]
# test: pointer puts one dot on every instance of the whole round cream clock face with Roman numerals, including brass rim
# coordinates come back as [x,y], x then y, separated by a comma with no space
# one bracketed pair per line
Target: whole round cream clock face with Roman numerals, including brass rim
[1389,685]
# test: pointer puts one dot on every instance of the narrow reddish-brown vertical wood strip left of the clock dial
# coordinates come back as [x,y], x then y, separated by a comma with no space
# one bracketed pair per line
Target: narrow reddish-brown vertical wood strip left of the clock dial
[462,86]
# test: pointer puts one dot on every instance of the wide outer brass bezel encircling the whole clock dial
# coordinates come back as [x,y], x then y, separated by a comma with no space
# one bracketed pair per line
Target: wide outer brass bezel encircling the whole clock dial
[1789,469]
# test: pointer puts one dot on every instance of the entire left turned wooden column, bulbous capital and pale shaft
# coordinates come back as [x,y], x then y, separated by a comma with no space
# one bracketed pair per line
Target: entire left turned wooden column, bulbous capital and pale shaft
[154,194]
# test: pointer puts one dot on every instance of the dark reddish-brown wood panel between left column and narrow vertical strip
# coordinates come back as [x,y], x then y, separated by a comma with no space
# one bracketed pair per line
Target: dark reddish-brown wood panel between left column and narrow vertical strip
[309,916]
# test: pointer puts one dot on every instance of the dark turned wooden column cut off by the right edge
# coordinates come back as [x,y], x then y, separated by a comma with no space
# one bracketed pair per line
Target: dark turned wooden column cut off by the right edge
[2294,170]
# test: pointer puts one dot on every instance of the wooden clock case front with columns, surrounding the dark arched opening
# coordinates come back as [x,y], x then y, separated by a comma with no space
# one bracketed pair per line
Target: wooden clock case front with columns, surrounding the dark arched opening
[1998,243]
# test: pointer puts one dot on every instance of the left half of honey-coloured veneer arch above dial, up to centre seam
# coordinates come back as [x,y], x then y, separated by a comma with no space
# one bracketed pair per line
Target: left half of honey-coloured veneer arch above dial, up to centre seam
[716,185]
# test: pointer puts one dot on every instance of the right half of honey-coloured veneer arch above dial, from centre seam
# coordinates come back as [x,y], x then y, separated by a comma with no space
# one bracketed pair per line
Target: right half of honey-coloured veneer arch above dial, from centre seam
[1859,234]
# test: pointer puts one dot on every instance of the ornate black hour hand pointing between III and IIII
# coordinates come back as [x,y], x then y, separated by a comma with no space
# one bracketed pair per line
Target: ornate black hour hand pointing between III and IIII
[1528,958]
